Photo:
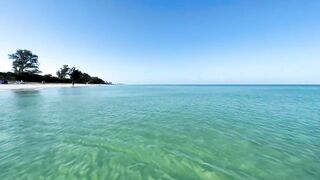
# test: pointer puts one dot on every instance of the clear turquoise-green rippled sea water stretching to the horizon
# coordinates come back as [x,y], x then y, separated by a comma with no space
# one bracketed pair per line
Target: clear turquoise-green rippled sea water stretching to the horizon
[161,132]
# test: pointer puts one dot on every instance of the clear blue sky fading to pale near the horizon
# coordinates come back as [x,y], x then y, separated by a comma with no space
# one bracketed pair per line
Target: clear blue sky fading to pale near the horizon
[169,41]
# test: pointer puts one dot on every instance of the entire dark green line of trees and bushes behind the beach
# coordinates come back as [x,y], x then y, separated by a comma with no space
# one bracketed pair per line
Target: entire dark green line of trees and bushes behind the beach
[25,67]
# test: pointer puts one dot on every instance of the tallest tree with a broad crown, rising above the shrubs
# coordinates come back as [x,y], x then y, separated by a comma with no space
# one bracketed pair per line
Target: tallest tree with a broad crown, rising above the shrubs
[24,61]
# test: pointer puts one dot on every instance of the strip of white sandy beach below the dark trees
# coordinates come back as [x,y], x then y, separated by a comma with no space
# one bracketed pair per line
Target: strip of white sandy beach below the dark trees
[30,86]
